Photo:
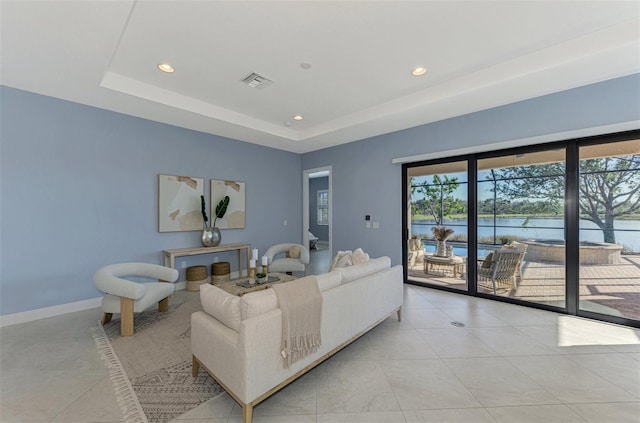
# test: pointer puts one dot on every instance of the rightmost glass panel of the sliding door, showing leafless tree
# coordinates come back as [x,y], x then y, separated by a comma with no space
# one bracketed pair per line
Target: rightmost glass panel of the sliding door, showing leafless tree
[609,200]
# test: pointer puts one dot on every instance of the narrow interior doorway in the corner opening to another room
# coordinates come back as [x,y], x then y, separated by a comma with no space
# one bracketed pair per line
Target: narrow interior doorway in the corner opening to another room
[317,214]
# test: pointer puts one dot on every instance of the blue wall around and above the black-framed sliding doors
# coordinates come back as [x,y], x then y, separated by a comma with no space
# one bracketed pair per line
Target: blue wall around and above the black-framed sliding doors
[364,181]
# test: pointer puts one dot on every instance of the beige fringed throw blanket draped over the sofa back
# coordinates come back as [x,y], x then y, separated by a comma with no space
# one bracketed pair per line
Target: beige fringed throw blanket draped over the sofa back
[301,306]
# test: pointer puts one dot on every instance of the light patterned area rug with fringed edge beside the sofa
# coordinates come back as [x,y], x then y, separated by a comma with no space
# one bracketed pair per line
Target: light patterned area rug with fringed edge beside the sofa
[151,370]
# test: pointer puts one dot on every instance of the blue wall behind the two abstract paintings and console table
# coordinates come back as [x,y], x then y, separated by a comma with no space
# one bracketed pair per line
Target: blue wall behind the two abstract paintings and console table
[79,190]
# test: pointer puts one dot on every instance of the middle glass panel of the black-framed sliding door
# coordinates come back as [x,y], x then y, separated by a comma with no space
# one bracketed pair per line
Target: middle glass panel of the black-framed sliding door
[521,226]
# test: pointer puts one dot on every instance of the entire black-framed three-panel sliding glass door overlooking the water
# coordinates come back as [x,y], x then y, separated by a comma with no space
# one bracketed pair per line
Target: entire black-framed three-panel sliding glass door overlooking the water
[556,226]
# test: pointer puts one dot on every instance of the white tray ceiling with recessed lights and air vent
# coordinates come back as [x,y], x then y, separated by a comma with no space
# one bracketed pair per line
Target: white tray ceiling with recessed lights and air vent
[479,54]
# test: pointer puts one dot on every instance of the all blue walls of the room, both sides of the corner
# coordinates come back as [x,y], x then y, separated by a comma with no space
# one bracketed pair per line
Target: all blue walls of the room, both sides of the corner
[79,184]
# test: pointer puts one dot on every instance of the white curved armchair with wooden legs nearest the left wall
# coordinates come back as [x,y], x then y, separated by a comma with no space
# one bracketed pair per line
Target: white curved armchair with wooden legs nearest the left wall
[127,297]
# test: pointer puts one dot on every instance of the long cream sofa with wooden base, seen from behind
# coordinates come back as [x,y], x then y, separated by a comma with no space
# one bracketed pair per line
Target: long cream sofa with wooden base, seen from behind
[237,339]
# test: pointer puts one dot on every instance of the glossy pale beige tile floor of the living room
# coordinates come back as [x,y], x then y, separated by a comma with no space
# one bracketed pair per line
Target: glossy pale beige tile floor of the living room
[508,364]
